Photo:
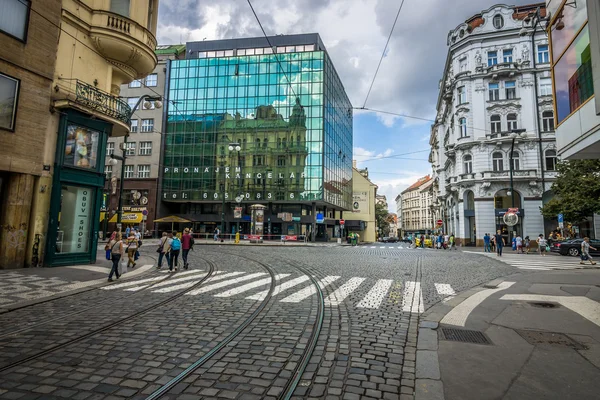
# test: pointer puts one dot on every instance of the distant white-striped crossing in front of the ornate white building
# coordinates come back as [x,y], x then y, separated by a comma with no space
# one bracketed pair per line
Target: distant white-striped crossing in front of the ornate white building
[534,261]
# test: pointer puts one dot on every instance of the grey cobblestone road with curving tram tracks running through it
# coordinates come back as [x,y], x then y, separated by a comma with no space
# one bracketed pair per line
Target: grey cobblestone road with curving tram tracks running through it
[365,348]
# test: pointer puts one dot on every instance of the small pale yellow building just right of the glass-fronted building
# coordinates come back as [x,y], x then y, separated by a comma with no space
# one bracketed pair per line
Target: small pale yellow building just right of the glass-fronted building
[362,219]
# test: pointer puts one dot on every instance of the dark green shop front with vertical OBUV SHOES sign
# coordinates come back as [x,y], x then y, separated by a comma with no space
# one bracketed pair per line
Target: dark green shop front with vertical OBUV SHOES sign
[76,190]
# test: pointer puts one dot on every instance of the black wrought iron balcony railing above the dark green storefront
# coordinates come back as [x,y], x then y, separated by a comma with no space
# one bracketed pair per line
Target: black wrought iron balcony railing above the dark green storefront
[103,102]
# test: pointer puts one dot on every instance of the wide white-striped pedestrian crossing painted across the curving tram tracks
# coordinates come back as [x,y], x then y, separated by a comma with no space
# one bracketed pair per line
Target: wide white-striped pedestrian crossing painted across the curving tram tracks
[365,293]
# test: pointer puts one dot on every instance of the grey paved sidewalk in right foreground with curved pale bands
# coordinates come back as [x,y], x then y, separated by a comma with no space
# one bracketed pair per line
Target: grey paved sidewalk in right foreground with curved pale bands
[543,340]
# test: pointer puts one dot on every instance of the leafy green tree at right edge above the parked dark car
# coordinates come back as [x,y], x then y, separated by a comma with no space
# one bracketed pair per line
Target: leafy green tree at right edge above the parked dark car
[576,191]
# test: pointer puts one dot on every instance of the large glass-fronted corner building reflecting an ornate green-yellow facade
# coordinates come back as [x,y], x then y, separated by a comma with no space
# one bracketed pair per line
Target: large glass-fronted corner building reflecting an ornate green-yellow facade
[287,108]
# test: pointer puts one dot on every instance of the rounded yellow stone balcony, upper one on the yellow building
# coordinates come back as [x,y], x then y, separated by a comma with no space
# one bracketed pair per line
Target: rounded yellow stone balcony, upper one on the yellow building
[125,43]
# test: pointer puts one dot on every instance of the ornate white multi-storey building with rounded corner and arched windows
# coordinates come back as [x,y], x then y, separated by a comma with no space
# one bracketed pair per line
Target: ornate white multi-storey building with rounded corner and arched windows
[496,80]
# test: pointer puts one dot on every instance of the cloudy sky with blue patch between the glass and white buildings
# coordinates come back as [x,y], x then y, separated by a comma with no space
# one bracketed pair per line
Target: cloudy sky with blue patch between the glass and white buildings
[394,149]
